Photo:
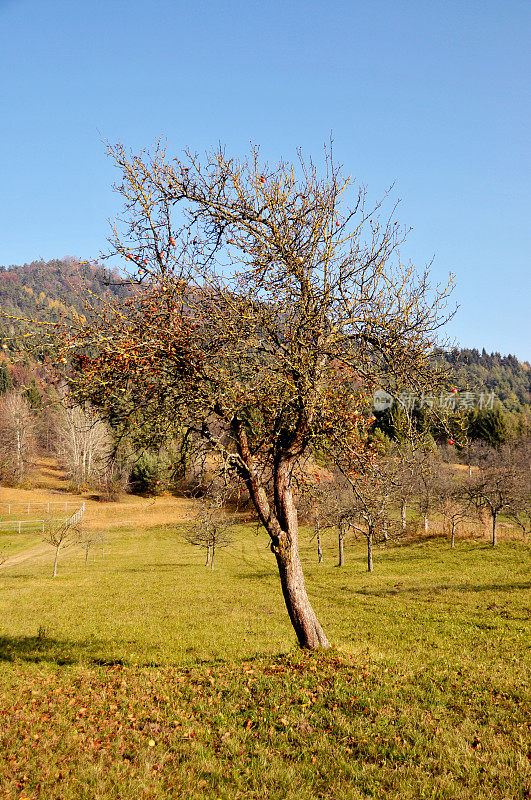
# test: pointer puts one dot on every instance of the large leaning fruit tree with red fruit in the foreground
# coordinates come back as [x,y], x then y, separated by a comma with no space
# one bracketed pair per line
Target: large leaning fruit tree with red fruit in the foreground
[266,310]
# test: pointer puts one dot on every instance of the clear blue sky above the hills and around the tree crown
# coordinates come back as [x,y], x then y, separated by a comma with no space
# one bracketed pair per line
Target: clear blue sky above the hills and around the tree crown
[433,95]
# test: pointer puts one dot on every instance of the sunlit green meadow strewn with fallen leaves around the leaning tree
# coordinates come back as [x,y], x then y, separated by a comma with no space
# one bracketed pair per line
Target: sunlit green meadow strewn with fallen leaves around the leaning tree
[153,677]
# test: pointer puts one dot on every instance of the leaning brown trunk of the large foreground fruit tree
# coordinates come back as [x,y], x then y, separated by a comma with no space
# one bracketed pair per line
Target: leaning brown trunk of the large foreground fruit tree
[285,546]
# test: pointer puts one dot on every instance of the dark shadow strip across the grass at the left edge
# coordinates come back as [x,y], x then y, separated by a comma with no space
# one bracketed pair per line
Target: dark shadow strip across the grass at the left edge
[42,648]
